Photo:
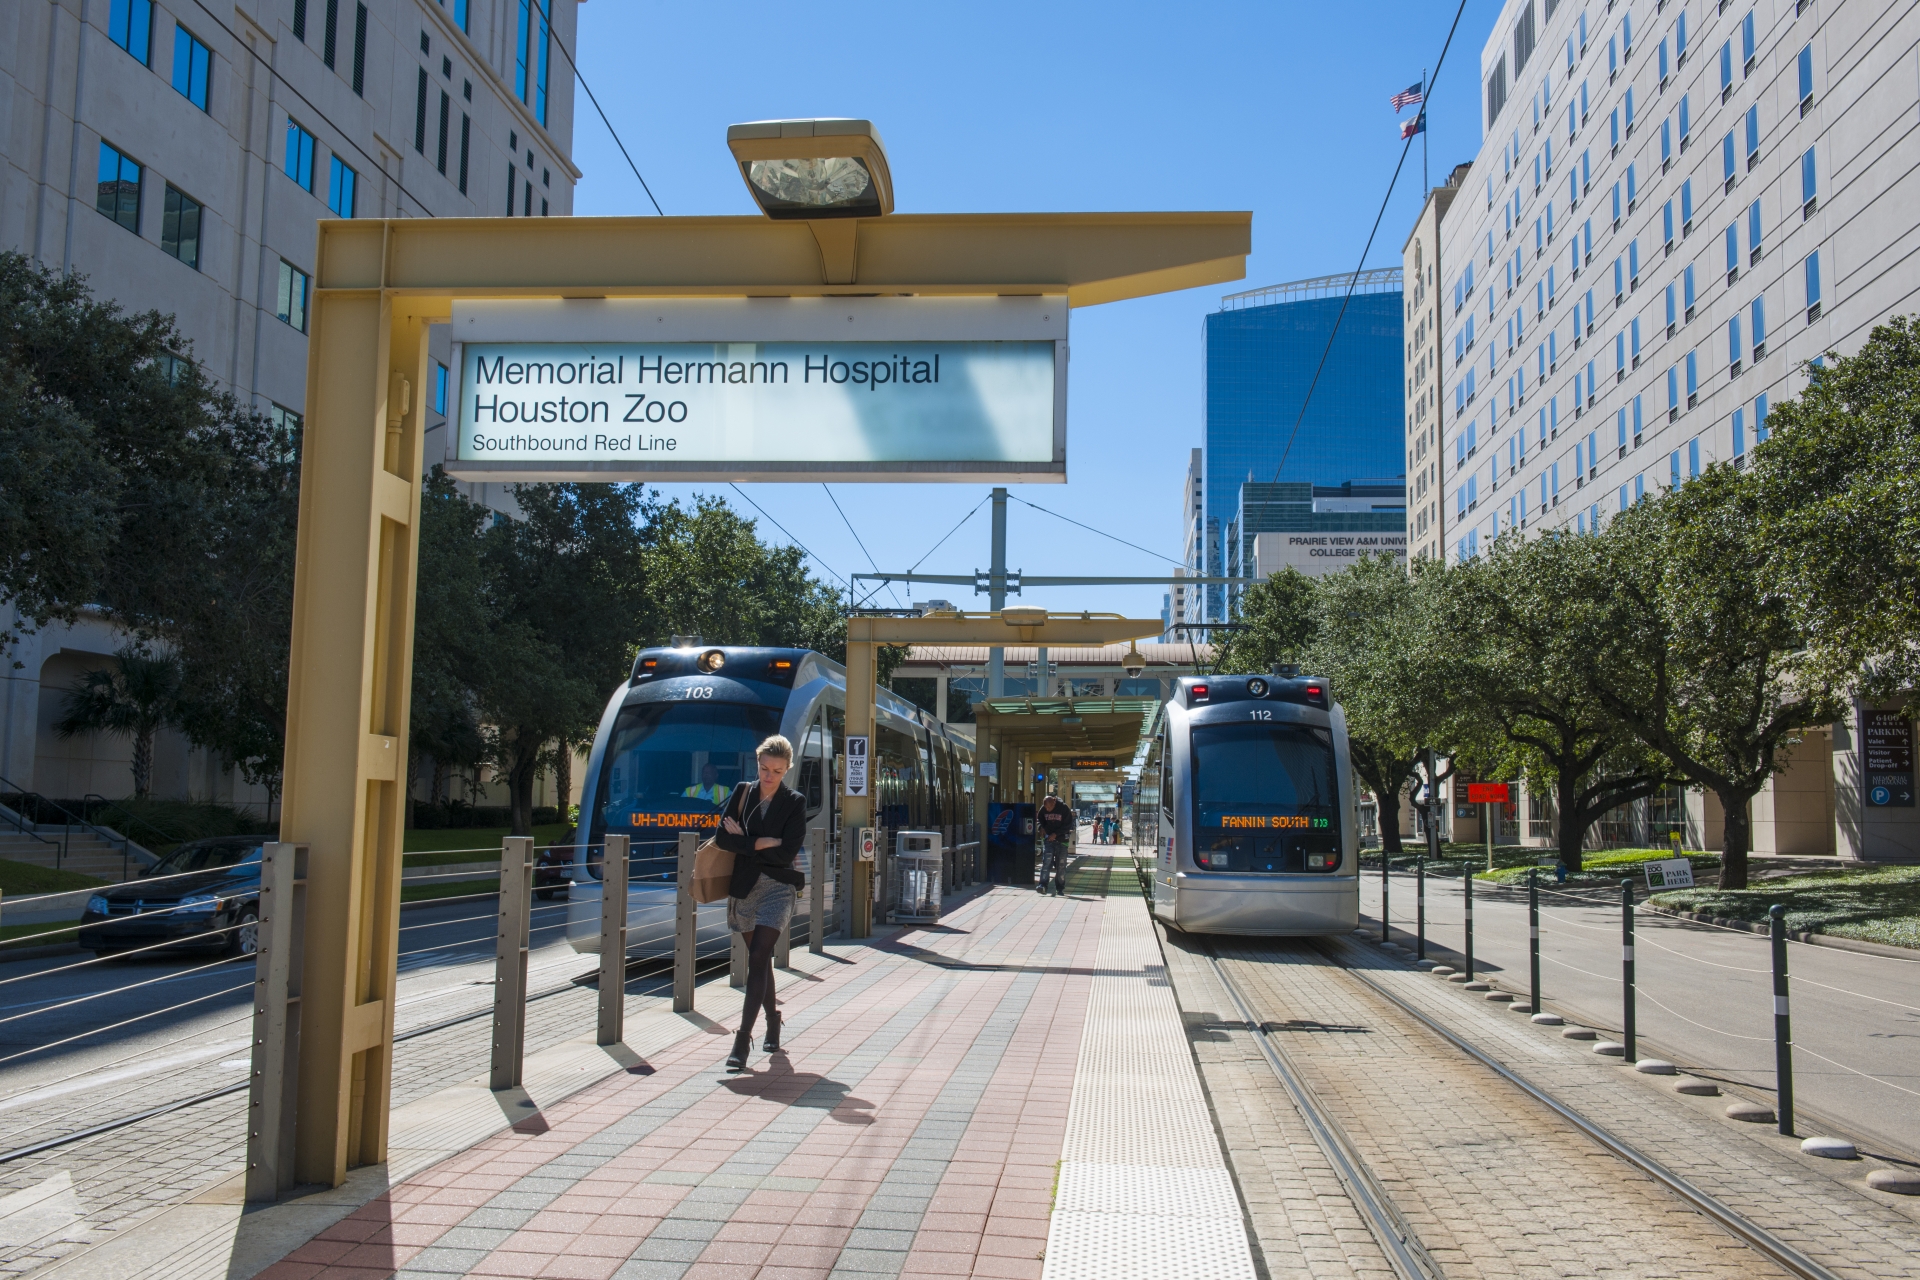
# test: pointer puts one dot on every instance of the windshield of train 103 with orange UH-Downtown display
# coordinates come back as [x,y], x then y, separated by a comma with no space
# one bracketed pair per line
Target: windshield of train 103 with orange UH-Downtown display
[671,767]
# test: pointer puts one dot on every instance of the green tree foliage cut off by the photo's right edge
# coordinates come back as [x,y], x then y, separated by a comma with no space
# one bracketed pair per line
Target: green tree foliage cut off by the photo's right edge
[1840,513]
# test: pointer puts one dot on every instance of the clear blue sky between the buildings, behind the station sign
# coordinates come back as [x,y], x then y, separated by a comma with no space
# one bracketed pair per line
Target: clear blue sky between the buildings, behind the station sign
[990,108]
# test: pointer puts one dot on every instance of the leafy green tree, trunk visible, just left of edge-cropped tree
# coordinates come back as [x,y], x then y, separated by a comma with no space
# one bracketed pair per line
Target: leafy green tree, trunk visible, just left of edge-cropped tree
[1696,652]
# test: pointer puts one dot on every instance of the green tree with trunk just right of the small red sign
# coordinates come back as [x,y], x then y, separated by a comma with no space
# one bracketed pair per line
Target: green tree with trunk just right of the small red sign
[1516,615]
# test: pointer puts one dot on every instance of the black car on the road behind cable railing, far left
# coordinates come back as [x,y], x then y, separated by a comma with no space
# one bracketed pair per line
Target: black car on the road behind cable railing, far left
[204,897]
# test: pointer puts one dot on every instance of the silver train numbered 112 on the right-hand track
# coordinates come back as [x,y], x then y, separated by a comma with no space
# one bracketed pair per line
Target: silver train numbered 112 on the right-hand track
[1259,824]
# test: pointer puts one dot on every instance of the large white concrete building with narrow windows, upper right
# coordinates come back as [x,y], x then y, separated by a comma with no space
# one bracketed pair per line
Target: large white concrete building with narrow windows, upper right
[1675,210]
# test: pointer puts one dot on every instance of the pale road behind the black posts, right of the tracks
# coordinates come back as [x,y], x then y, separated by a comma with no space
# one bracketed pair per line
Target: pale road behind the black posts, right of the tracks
[1704,997]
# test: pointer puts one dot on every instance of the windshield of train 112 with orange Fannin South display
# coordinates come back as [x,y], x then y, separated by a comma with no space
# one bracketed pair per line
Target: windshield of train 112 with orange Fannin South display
[1266,799]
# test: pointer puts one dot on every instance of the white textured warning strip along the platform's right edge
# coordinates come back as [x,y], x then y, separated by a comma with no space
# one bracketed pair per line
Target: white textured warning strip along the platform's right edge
[1145,1191]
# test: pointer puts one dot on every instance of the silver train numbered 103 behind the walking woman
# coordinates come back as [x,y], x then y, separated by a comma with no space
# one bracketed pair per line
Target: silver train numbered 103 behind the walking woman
[681,734]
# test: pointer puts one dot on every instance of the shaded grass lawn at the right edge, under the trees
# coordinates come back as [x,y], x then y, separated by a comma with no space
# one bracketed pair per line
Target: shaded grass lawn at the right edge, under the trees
[1875,905]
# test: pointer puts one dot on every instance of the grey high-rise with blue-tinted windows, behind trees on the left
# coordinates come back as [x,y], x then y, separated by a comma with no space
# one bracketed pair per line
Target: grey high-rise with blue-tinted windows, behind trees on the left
[180,153]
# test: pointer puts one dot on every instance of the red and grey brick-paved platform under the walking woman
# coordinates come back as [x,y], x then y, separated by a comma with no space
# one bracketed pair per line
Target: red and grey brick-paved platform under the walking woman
[913,1127]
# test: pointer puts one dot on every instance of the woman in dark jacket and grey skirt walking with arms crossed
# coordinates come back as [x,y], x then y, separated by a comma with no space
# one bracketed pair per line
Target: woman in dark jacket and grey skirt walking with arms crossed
[763,828]
